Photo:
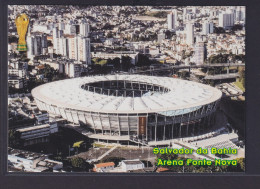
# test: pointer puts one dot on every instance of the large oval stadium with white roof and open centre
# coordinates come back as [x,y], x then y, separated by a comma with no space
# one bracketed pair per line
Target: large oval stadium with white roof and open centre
[122,107]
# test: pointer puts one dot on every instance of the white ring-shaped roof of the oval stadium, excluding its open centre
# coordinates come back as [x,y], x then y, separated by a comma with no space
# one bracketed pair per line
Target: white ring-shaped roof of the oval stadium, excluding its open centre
[183,96]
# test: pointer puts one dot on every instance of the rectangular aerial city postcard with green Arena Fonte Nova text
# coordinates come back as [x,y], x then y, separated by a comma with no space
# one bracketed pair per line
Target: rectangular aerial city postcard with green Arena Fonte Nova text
[126,89]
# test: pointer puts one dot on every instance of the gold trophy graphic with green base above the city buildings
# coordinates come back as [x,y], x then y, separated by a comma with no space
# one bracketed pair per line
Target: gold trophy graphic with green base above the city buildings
[22,22]
